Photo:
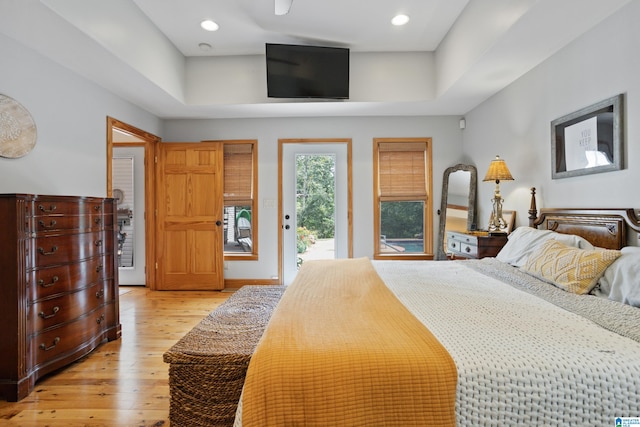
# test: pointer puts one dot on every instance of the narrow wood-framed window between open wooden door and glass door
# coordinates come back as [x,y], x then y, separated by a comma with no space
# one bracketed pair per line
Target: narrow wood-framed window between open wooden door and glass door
[240,196]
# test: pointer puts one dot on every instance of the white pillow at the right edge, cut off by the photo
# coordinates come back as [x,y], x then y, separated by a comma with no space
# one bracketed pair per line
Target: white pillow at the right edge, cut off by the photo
[621,280]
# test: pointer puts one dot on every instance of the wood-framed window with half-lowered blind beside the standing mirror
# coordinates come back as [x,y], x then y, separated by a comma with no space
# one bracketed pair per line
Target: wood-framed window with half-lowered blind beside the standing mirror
[402,205]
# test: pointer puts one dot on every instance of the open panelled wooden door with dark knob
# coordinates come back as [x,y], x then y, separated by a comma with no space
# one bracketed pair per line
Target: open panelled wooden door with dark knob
[190,208]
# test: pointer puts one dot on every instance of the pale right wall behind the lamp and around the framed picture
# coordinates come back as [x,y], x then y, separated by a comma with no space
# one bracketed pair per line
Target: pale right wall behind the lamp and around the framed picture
[515,123]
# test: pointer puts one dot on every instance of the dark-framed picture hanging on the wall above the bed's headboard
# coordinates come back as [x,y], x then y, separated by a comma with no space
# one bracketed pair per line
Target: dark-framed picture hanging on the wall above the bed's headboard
[588,141]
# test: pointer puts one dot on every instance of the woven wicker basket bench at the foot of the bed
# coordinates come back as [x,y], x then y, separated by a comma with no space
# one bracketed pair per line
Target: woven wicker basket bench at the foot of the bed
[208,365]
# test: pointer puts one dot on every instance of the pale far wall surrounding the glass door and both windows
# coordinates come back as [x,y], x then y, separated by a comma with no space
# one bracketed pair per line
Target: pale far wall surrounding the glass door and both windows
[447,140]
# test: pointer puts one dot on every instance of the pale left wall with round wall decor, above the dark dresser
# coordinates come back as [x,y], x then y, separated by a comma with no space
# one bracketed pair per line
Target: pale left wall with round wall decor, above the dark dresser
[71,119]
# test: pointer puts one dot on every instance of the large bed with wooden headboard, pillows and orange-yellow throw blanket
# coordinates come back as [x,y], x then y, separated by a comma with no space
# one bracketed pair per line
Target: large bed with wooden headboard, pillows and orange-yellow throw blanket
[519,350]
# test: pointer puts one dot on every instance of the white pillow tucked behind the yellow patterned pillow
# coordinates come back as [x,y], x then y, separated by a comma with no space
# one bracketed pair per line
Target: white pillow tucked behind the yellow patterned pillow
[524,240]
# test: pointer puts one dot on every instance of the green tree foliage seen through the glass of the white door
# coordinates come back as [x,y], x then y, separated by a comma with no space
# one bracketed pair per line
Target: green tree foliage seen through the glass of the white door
[315,193]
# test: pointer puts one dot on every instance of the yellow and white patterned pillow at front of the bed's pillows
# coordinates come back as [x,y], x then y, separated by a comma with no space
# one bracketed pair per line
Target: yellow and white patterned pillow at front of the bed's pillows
[572,269]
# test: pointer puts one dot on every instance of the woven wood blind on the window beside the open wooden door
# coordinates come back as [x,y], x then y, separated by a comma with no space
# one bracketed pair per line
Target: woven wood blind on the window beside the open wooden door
[238,168]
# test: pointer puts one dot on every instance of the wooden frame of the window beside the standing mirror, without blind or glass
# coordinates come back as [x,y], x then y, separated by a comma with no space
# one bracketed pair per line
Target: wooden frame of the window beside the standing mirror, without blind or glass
[381,145]
